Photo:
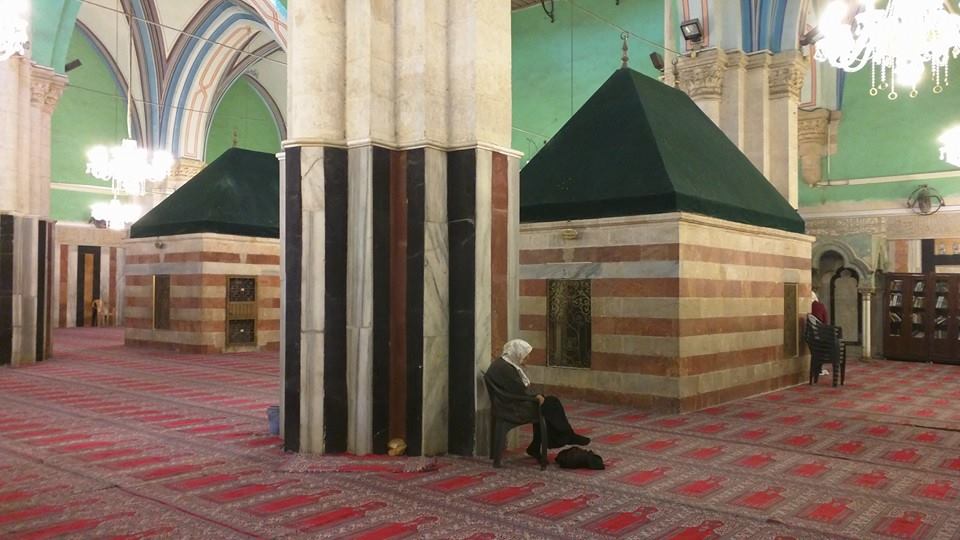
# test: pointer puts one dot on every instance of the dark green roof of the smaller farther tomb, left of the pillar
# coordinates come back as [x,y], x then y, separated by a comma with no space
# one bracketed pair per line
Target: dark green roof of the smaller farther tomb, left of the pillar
[239,193]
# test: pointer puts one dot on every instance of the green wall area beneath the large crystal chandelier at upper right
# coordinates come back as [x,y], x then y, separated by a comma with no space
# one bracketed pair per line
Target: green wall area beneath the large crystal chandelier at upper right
[878,137]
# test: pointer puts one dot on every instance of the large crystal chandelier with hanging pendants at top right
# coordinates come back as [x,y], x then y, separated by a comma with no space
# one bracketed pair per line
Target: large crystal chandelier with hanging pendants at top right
[898,41]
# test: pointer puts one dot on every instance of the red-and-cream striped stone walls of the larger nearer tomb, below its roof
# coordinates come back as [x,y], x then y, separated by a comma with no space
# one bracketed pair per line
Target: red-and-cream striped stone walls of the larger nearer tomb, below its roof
[686,311]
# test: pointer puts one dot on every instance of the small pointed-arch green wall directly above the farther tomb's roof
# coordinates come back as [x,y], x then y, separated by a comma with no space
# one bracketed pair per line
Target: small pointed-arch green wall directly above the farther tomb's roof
[243,115]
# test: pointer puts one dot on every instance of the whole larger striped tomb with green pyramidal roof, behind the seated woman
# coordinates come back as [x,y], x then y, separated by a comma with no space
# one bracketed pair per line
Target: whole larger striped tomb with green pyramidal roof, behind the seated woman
[658,267]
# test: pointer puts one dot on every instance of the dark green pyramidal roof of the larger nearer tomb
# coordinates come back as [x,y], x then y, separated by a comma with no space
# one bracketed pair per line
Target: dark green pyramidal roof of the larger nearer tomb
[638,147]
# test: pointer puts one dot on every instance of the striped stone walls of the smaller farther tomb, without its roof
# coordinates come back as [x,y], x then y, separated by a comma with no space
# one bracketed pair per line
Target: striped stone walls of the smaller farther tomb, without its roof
[198,266]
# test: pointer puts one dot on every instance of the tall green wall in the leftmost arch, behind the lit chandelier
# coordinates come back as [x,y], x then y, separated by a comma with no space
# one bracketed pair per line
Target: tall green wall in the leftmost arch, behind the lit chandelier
[91,112]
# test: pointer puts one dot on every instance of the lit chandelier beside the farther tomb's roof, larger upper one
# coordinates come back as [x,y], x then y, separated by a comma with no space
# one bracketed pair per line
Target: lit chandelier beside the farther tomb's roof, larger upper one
[128,167]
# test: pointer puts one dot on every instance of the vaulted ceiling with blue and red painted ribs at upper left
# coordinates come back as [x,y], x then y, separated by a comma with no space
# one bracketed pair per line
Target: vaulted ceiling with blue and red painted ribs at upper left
[187,54]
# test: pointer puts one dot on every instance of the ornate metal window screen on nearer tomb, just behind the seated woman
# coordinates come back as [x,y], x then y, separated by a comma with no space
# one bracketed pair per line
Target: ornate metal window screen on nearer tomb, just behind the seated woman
[568,323]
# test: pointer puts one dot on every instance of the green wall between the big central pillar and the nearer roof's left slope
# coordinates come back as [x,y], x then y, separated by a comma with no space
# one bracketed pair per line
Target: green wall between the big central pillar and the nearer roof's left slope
[558,66]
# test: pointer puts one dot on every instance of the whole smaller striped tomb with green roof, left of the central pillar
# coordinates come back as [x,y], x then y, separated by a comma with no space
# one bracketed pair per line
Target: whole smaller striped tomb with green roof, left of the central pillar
[203,267]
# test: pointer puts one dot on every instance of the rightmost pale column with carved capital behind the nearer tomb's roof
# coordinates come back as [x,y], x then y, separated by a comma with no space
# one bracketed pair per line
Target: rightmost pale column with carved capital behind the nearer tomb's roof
[787,71]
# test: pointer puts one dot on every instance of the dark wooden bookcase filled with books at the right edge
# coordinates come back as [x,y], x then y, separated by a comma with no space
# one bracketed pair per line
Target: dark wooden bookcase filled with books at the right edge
[923,317]
